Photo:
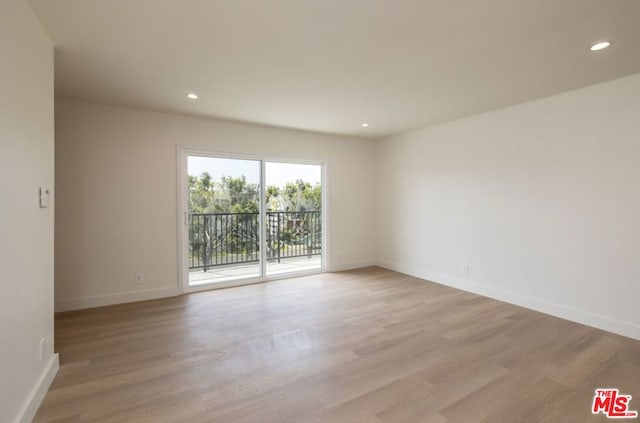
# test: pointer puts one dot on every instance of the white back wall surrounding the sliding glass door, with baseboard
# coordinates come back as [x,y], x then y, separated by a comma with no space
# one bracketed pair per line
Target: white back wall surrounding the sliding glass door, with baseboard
[116,191]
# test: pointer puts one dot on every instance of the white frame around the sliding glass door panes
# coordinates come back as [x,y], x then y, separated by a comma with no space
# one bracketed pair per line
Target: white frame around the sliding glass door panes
[182,153]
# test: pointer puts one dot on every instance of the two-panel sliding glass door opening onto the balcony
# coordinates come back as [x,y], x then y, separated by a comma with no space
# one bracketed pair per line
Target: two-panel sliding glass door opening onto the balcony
[234,231]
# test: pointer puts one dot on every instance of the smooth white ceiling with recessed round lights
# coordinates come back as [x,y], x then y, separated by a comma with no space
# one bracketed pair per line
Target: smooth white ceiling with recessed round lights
[329,65]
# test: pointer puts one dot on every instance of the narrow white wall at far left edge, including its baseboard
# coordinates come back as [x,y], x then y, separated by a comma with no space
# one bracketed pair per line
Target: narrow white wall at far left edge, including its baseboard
[26,231]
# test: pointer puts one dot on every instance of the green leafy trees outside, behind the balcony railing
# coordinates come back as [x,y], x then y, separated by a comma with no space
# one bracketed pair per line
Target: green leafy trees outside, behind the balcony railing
[217,237]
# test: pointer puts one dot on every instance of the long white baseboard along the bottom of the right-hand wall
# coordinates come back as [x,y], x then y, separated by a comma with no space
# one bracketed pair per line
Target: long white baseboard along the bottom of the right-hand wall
[608,324]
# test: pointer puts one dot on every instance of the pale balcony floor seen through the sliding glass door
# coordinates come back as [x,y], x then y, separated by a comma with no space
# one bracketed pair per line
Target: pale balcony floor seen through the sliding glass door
[251,270]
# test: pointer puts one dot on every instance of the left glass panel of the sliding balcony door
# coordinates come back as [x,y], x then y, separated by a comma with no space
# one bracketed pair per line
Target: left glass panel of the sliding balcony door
[223,219]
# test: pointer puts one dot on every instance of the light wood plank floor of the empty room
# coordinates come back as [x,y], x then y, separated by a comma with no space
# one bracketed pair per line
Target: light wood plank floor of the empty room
[369,345]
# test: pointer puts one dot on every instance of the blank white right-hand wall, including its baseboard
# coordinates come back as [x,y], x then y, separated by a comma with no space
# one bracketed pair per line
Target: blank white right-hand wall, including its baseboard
[540,200]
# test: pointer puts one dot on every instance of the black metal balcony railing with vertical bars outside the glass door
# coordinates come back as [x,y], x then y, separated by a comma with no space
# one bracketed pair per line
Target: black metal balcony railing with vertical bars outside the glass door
[217,239]
